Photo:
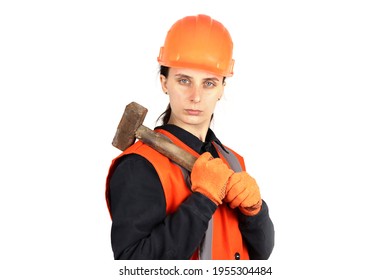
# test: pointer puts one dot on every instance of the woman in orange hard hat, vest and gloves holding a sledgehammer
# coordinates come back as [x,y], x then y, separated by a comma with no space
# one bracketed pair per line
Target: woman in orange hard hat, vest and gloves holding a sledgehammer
[161,211]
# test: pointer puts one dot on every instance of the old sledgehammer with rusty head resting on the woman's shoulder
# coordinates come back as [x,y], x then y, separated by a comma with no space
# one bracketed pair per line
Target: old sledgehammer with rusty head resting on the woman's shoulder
[130,128]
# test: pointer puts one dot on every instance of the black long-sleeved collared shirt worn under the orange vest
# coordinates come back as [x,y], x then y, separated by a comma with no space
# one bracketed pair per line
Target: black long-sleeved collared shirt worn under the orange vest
[141,228]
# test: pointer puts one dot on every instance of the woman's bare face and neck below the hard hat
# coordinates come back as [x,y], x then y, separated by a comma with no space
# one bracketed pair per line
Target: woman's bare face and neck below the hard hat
[193,95]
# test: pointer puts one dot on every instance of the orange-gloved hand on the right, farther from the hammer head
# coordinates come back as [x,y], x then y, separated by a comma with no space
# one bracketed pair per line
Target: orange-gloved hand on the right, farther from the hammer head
[243,192]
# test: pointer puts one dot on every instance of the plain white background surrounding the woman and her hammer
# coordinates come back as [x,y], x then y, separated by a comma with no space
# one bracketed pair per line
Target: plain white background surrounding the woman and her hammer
[308,108]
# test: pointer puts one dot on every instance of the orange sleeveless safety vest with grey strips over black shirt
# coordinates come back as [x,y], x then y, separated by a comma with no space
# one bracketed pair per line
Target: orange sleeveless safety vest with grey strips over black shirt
[223,240]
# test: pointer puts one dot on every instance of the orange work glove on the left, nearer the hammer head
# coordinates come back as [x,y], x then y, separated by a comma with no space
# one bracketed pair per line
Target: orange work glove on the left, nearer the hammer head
[209,176]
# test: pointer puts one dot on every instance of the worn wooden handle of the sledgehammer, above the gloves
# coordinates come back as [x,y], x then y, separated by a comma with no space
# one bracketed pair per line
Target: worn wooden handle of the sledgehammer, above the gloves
[163,145]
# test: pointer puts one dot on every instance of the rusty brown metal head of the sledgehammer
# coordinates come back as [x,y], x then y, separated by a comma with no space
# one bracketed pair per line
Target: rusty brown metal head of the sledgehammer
[131,120]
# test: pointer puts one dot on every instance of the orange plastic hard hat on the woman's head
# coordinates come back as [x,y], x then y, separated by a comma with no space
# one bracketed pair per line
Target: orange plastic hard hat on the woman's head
[198,42]
